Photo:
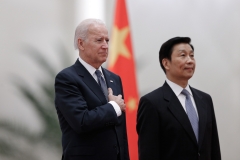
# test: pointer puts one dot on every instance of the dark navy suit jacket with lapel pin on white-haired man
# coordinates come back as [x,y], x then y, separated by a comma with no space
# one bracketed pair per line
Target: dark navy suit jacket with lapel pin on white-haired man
[90,127]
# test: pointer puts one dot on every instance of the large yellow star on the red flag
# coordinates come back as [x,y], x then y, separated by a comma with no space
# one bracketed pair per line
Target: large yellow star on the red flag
[118,46]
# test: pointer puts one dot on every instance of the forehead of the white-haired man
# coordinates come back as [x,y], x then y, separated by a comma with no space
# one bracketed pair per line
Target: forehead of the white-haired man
[98,30]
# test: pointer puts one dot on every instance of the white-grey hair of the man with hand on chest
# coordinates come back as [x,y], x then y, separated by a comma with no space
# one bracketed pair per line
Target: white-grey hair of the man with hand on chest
[82,29]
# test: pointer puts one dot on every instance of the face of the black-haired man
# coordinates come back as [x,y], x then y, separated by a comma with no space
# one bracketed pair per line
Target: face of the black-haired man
[182,64]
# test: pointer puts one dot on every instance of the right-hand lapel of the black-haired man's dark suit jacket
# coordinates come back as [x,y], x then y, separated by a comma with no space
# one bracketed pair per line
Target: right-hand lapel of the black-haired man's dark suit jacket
[202,114]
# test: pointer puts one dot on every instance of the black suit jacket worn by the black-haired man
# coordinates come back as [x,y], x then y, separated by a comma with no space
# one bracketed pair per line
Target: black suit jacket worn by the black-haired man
[165,132]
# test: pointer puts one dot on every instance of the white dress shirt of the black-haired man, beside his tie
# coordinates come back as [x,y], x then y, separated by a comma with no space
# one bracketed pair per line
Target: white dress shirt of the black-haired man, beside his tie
[181,97]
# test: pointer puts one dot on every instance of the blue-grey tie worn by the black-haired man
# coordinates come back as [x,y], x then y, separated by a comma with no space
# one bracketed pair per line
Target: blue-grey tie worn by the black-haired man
[191,112]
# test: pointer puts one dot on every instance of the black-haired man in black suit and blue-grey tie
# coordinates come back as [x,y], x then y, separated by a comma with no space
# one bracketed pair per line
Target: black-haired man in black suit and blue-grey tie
[177,121]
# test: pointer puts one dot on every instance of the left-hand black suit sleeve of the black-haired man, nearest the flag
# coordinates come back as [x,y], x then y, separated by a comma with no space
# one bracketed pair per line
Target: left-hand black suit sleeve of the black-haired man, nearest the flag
[148,131]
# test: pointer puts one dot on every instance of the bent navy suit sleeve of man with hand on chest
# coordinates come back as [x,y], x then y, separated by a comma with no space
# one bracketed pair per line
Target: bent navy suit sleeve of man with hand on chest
[70,101]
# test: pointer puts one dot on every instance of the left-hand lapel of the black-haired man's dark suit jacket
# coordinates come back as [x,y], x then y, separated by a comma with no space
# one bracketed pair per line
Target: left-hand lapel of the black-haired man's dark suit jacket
[177,110]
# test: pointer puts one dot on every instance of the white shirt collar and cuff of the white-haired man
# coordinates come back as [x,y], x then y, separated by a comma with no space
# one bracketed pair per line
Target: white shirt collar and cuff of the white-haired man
[92,70]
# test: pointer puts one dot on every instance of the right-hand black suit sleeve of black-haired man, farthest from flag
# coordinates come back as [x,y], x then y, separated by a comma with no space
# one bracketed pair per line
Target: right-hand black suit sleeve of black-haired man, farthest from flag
[216,153]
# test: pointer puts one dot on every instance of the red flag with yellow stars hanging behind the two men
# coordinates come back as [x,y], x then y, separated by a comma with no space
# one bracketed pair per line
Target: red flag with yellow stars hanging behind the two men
[121,62]
